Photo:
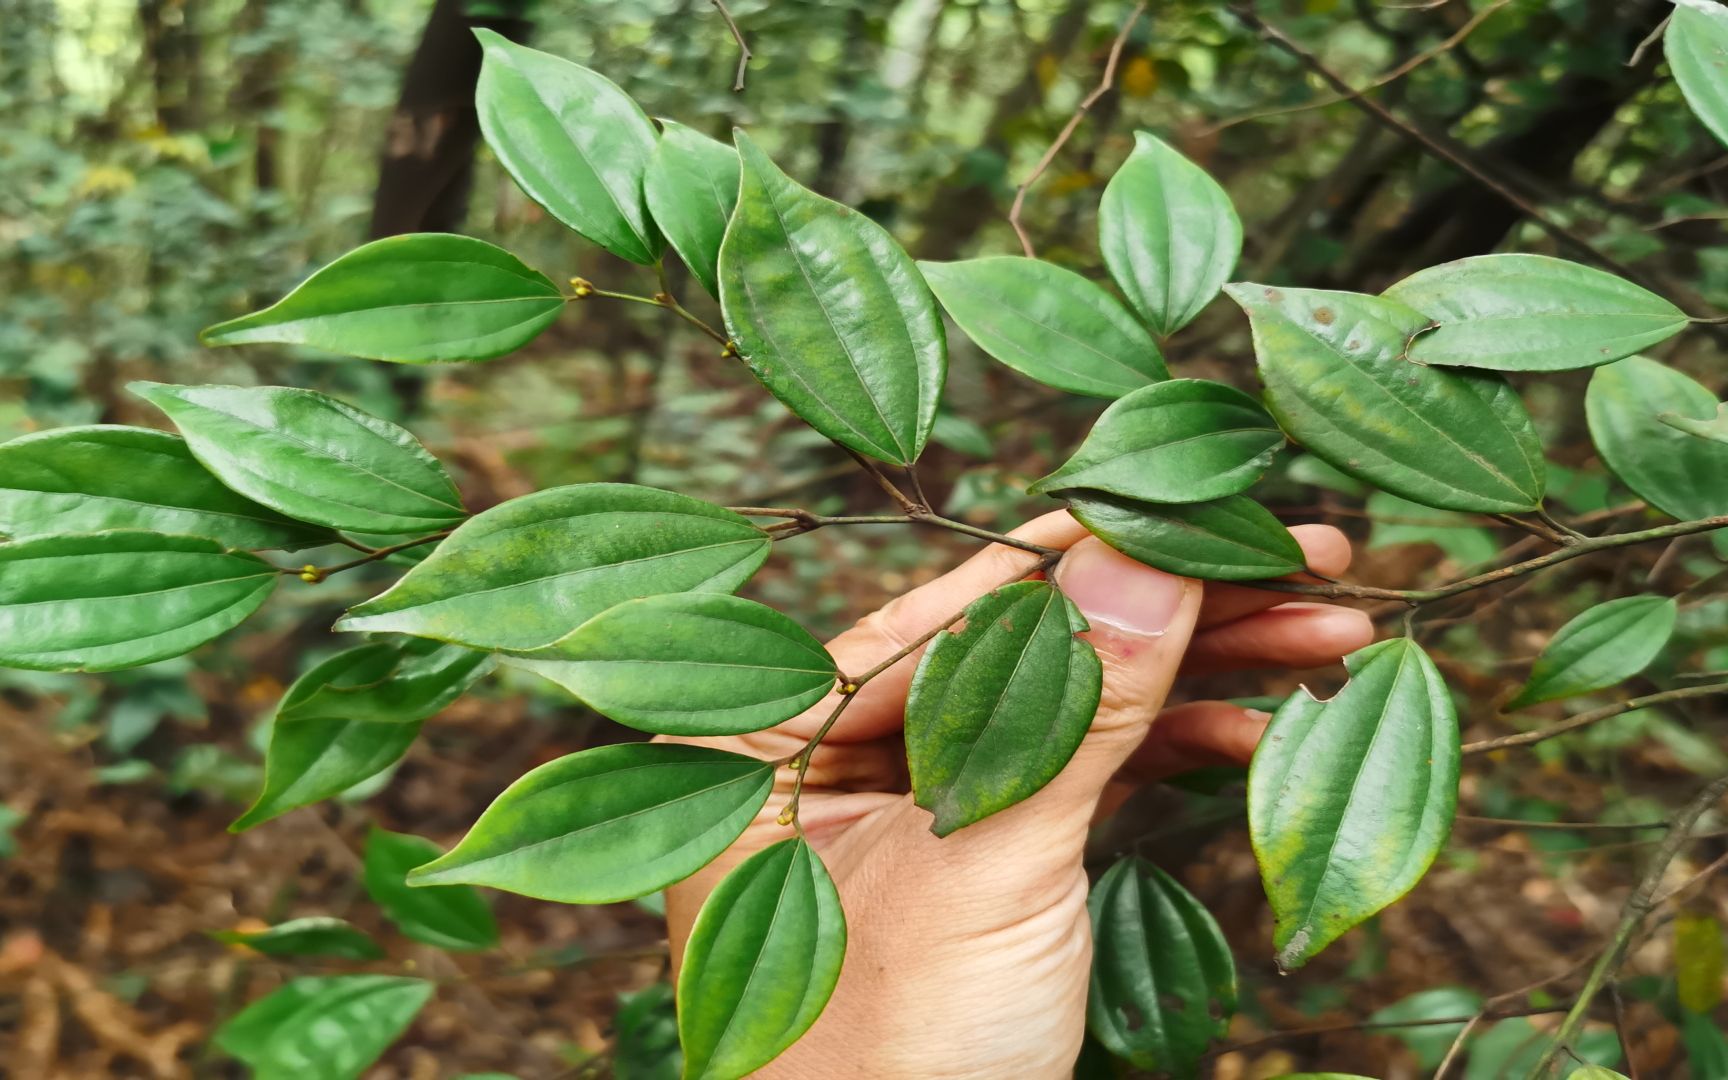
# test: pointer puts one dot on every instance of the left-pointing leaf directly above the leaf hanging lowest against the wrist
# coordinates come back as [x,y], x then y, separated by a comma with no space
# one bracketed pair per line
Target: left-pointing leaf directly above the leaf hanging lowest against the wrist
[609,825]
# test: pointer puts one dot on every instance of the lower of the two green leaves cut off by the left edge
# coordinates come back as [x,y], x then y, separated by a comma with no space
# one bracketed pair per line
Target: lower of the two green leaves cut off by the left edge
[122,599]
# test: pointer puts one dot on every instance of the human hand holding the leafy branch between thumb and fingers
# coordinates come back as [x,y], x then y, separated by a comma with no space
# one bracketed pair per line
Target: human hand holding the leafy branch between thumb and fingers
[969,956]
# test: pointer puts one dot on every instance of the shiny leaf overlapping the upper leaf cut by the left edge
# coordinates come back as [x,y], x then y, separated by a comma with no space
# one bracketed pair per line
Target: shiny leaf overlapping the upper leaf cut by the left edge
[312,457]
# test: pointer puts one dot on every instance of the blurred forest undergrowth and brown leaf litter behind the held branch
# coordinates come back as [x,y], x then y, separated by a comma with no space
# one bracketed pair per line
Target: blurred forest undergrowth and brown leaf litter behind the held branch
[172,163]
